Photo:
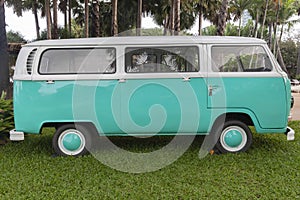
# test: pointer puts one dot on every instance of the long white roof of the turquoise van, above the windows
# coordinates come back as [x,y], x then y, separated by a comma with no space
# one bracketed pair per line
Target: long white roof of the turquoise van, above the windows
[147,40]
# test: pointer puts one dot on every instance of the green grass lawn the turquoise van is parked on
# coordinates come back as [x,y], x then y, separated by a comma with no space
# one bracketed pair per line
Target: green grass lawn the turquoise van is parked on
[269,170]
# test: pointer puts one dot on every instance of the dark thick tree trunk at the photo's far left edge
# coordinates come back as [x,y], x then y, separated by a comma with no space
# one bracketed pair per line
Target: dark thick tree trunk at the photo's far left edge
[4,68]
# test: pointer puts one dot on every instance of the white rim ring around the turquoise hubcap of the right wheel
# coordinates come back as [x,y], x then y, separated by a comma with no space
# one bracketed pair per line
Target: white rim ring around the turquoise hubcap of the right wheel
[227,131]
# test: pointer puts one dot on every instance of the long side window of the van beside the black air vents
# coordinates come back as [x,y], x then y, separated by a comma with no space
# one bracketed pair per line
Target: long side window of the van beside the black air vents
[78,61]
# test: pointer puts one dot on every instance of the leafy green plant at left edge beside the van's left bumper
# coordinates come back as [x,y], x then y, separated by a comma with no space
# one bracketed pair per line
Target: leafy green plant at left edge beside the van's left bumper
[6,115]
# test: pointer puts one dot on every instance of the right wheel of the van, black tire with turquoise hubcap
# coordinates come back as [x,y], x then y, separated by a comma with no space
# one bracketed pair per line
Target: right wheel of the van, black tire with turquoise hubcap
[233,136]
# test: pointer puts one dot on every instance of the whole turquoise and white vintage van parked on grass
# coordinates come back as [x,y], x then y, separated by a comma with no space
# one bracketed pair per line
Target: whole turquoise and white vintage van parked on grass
[145,86]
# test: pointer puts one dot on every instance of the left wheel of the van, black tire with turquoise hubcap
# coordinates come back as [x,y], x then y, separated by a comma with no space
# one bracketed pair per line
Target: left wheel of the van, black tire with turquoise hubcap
[73,140]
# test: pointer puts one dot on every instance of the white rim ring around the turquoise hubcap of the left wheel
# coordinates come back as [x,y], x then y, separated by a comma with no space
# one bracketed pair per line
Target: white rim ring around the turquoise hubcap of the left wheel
[62,139]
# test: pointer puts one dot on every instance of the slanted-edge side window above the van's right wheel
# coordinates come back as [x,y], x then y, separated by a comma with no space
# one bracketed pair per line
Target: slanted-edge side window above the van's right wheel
[240,59]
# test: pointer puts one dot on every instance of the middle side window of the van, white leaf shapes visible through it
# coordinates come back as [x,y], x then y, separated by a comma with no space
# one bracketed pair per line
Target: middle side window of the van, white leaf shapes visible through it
[162,60]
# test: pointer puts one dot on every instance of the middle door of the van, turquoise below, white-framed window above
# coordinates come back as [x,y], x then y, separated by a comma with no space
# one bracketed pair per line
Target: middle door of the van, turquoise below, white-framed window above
[163,91]
